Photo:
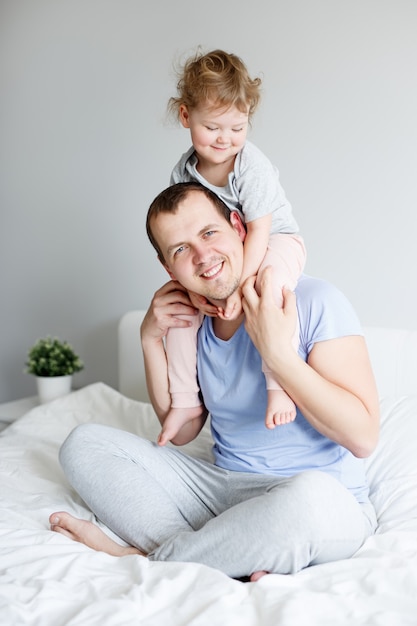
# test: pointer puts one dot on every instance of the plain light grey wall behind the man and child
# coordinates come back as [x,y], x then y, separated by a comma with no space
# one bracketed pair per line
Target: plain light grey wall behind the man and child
[84,149]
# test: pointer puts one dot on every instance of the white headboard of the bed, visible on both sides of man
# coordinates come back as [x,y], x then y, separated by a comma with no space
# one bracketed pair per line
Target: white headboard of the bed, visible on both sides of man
[393,354]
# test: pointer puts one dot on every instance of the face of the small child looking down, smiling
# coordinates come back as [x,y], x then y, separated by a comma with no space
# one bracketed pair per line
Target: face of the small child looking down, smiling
[217,134]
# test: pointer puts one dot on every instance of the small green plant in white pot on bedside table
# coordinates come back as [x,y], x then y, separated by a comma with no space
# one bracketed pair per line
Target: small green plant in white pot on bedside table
[53,362]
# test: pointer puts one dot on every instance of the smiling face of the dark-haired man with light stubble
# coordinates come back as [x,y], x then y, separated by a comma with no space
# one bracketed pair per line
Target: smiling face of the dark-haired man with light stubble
[202,250]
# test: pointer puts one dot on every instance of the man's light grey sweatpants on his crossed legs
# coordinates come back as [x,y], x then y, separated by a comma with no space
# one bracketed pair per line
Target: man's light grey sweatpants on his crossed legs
[177,508]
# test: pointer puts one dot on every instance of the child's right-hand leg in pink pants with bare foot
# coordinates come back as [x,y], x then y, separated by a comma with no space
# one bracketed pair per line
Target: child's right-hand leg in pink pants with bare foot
[286,254]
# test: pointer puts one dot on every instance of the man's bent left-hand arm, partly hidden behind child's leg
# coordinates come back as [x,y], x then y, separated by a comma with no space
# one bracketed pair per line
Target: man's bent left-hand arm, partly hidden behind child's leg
[168,302]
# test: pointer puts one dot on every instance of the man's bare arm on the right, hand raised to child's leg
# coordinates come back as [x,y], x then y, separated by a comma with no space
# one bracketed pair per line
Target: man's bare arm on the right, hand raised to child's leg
[335,390]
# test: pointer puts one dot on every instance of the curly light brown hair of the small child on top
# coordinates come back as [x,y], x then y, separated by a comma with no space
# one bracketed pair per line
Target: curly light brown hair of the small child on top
[216,79]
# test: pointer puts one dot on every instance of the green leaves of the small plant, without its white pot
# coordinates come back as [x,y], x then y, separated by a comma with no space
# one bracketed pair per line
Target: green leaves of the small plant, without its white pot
[52,357]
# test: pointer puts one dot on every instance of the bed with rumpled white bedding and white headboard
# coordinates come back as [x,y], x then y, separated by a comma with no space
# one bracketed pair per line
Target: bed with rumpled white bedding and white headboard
[48,580]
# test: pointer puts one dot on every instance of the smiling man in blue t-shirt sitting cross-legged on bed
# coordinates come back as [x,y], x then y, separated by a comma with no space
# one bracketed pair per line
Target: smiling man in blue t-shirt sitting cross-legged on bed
[275,500]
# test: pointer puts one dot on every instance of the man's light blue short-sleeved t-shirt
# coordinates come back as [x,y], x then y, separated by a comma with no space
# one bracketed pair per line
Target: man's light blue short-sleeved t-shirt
[234,391]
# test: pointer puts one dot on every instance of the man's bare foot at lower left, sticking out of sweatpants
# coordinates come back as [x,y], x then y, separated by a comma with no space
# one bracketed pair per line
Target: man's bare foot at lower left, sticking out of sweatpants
[88,533]
